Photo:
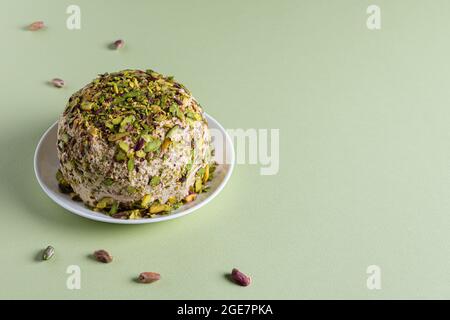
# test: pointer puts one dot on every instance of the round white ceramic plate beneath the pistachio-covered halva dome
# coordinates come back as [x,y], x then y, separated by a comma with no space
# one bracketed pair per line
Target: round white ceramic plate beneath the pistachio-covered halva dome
[46,164]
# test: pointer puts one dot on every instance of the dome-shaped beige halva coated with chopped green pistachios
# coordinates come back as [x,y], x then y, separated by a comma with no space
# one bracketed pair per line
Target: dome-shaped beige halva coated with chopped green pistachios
[134,144]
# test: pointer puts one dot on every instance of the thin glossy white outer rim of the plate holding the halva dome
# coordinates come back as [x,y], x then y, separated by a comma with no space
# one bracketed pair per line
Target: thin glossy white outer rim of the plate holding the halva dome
[106,219]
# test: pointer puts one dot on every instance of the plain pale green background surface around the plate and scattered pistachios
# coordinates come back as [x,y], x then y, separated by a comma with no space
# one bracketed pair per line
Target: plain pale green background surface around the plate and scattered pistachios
[364,148]
